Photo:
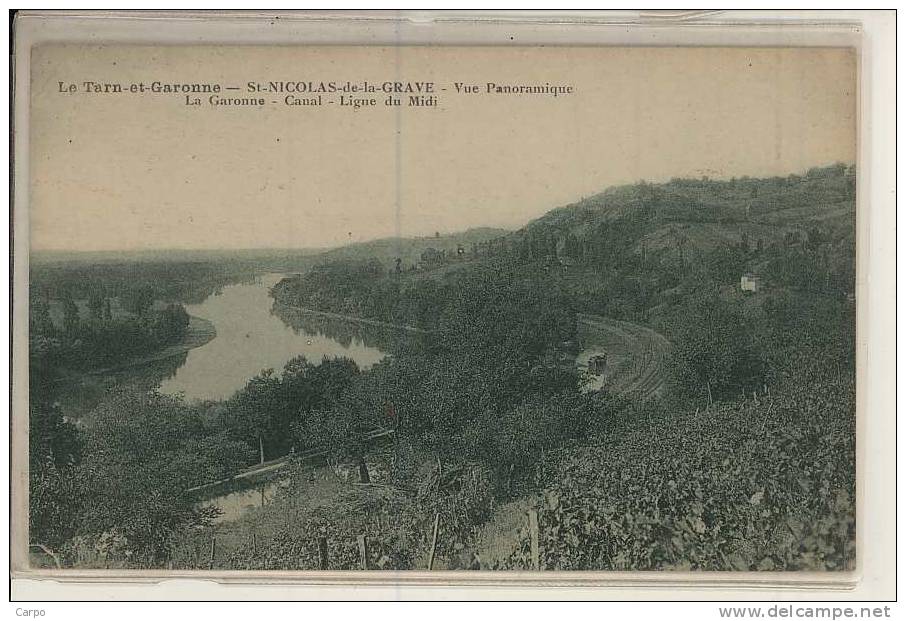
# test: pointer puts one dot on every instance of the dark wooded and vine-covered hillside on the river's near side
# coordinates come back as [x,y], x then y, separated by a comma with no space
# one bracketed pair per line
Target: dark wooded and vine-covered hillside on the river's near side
[747,462]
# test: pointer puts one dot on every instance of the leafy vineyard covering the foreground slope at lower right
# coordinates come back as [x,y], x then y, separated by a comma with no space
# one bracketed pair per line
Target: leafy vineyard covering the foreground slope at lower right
[751,486]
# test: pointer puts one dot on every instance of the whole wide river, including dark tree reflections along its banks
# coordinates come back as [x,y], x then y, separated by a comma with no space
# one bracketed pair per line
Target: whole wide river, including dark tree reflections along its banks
[251,334]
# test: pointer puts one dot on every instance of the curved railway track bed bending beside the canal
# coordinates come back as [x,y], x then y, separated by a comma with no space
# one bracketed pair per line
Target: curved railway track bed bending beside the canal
[635,355]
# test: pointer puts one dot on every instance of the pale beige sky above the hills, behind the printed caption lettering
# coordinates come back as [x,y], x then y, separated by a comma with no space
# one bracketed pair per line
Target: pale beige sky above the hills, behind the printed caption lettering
[129,171]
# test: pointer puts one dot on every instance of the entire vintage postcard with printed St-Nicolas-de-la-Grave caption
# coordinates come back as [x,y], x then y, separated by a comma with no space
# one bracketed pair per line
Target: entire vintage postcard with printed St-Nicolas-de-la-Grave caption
[399,307]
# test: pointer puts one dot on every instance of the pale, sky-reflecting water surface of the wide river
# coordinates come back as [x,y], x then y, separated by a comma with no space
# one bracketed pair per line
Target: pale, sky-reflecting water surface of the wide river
[251,338]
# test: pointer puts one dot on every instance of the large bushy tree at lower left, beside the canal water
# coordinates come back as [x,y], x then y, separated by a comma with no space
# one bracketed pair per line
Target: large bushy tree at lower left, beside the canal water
[141,456]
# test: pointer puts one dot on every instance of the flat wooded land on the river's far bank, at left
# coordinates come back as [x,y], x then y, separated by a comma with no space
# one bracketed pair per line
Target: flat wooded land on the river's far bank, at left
[88,317]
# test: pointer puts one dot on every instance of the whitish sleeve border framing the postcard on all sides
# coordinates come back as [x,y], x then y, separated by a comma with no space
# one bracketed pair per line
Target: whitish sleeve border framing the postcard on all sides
[871,33]
